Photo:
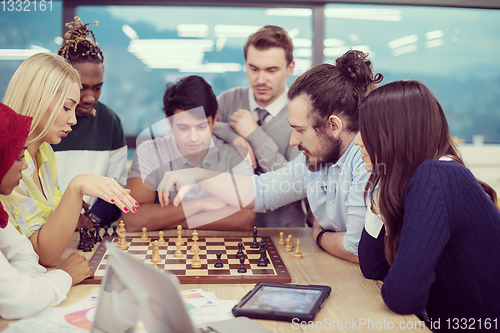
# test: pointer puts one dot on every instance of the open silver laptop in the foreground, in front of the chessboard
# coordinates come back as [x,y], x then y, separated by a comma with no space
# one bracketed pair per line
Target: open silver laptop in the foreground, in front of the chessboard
[132,292]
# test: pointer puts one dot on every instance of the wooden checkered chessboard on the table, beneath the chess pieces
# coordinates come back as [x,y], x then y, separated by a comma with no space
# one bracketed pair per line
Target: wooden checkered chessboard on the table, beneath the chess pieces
[275,271]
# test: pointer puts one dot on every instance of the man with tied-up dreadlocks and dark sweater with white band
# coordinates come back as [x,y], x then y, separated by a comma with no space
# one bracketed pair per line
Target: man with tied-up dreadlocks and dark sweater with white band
[96,144]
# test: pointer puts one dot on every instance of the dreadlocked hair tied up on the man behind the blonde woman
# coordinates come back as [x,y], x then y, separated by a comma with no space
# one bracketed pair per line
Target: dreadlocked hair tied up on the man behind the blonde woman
[77,47]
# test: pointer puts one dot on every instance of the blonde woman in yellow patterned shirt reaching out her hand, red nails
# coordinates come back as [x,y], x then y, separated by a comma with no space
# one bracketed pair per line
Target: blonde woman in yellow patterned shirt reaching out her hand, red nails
[47,88]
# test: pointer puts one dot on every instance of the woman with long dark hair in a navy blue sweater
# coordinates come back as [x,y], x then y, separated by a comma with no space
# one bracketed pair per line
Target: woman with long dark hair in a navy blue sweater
[432,229]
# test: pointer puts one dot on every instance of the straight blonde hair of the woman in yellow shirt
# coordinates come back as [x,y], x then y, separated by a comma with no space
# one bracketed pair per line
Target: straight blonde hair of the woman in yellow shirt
[41,80]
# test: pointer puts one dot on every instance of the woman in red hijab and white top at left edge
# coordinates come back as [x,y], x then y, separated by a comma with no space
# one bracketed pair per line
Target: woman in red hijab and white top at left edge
[25,286]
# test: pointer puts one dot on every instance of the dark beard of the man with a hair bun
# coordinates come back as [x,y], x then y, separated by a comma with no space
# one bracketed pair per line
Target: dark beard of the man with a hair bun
[328,154]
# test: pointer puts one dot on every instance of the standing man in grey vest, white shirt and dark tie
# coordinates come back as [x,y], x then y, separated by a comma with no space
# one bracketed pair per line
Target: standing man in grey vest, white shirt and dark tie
[256,117]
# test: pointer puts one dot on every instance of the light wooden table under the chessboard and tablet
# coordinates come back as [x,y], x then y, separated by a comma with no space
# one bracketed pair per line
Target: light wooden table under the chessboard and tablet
[355,304]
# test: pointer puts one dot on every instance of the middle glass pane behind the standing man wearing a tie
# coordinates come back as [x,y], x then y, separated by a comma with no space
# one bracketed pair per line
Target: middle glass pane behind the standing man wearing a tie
[147,47]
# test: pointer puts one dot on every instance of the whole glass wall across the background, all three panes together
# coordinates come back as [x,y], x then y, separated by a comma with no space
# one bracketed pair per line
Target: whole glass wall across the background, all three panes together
[454,51]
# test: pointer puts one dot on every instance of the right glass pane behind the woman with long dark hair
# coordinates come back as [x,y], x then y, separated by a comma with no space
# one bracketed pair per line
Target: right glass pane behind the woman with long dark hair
[454,51]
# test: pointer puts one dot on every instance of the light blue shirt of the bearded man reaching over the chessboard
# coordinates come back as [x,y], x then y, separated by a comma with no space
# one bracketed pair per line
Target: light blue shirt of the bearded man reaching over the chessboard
[335,194]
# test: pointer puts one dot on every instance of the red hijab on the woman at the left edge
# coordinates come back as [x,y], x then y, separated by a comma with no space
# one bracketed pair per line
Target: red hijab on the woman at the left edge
[14,130]
